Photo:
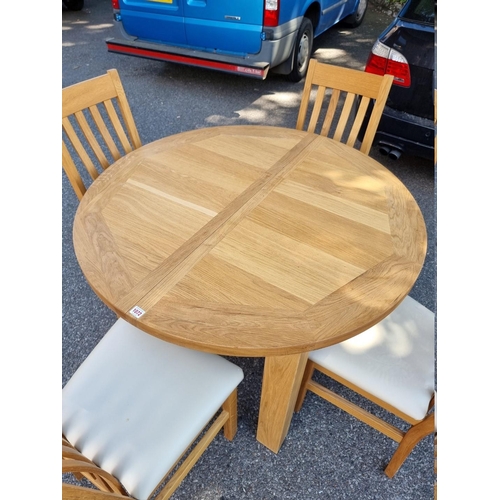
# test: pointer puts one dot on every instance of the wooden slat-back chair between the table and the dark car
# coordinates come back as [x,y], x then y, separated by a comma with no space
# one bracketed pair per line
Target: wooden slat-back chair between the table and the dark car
[348,98]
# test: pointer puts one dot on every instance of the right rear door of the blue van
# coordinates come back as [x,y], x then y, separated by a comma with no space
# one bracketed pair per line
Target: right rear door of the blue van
[224,26]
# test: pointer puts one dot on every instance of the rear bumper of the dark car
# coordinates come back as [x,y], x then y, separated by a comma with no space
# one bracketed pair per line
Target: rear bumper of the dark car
[408,133]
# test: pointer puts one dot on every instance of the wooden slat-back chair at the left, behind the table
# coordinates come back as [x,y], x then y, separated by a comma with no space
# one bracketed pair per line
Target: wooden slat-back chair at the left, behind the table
[98,128]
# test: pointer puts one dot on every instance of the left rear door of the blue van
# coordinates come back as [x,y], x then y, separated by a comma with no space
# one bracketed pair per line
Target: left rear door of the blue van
[155,20]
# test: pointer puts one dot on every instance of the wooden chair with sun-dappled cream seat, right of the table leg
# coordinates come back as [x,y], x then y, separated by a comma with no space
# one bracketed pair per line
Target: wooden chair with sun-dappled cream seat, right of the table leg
[390,364]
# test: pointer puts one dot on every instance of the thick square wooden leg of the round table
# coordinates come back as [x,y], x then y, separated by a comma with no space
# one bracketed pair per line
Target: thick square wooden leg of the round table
[280,386]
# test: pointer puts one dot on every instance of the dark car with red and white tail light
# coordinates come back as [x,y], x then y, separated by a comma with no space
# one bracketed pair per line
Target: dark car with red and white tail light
[407,50]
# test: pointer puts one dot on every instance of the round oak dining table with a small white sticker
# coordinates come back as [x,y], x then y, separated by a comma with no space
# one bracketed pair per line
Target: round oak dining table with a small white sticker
[251,241]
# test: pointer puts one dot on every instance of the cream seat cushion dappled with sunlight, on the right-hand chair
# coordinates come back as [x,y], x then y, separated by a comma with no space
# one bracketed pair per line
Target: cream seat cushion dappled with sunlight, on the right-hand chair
[393,360]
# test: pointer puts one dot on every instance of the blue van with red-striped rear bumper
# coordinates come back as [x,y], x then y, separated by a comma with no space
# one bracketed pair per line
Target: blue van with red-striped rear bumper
[248,37]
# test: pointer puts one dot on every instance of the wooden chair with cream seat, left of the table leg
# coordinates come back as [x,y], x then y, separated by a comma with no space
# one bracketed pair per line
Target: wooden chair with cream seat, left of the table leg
[140,411]
